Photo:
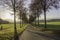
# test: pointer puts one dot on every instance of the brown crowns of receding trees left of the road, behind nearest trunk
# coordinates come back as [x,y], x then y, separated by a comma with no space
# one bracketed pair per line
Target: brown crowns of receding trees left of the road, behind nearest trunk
[22,11]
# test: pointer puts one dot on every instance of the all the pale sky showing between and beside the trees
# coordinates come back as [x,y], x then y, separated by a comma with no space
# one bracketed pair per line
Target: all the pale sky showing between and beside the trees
[52,14]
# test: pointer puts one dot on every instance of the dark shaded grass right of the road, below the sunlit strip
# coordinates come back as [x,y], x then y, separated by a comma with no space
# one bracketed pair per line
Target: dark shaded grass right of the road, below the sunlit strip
[55,29]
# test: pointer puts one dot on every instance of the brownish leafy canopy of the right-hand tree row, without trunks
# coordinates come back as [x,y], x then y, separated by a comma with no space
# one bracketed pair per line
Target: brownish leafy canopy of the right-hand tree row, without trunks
[39,6]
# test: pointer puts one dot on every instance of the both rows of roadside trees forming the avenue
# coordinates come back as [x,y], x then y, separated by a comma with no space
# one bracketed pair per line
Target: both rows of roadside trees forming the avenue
[36,8]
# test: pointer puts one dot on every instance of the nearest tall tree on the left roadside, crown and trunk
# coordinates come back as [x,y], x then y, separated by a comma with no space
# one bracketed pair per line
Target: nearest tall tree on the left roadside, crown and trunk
[13,6]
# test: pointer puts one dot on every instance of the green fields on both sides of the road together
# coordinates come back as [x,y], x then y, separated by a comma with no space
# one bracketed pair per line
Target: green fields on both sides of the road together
[7,31]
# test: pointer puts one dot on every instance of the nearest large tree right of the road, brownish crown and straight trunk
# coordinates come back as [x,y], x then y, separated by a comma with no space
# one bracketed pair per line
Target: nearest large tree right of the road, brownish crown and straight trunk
[44,6]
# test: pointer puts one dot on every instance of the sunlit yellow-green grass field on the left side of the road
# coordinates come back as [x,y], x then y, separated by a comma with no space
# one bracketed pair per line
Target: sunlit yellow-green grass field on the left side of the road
[7,31]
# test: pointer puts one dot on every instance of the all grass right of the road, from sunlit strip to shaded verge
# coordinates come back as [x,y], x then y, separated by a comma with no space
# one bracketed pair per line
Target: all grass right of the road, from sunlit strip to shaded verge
[52,27]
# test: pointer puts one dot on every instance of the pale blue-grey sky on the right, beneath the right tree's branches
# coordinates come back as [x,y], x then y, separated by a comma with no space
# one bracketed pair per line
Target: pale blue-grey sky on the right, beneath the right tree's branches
[52,14]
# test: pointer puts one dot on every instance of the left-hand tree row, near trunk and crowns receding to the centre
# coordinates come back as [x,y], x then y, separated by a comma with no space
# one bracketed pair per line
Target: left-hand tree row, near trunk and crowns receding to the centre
[16,6]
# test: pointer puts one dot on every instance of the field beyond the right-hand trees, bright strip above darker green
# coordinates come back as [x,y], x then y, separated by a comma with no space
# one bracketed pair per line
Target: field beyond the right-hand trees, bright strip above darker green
[50,25]
